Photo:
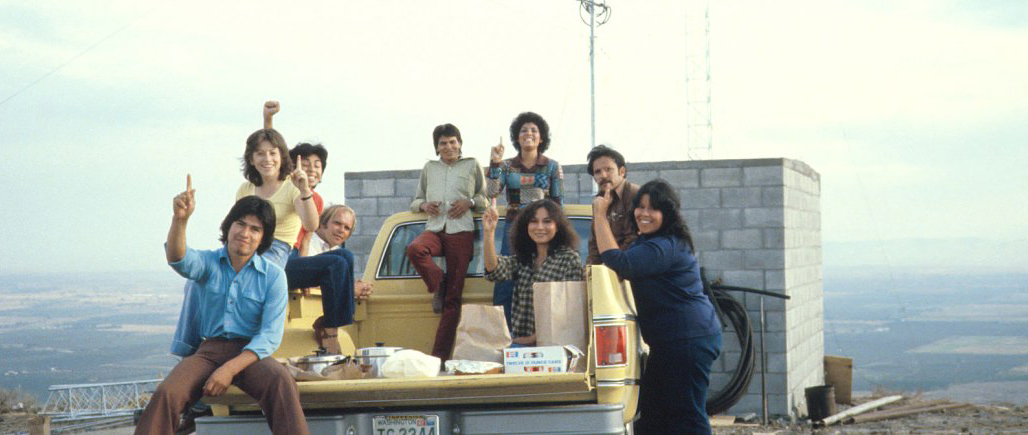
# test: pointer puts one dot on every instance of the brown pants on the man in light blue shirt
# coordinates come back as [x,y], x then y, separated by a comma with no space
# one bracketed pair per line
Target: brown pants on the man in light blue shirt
[267,381]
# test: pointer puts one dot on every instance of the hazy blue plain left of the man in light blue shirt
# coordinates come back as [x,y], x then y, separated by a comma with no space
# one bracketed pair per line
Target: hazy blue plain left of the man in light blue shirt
[86,329]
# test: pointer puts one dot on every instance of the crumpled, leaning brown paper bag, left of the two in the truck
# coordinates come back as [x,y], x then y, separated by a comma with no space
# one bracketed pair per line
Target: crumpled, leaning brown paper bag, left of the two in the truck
[482,335]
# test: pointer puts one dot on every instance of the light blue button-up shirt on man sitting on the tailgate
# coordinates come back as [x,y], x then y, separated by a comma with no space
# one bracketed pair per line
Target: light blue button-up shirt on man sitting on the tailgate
[221,303]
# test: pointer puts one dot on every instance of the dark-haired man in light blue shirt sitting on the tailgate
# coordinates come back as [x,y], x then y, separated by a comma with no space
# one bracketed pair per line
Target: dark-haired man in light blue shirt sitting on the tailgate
[240,317]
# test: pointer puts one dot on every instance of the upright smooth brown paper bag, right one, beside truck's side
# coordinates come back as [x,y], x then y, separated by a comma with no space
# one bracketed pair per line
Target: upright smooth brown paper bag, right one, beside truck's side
[561,314]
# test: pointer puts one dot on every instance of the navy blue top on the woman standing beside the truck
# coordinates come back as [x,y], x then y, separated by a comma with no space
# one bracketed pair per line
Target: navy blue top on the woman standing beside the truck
[667,285]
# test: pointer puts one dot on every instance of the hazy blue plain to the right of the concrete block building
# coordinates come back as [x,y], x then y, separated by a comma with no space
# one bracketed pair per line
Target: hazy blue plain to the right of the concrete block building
[929,332]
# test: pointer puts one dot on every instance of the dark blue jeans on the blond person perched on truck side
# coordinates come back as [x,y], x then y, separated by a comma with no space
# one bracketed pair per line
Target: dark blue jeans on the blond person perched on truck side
[334,272]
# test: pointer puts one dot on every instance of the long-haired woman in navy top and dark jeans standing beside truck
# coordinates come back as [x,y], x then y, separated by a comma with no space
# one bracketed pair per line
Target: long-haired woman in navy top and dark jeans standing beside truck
[677,319]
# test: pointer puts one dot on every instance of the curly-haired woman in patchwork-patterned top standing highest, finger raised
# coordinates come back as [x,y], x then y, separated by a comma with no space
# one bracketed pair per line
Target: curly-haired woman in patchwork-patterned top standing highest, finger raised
[527,177]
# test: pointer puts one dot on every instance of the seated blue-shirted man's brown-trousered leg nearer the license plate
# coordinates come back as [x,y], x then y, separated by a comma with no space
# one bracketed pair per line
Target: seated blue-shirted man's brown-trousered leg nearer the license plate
[273,387]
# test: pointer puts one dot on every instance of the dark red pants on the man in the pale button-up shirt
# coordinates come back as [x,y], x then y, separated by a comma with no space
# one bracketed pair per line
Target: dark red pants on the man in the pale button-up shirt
[457,249]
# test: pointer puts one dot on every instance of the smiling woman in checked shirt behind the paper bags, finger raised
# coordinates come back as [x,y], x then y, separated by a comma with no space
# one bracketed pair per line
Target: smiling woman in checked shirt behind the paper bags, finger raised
[544,251]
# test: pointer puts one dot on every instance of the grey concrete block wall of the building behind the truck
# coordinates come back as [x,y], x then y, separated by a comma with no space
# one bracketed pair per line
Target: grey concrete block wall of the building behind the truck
[755,223]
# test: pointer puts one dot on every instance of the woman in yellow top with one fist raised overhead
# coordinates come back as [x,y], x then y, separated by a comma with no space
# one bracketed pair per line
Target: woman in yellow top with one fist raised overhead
[267,166]
